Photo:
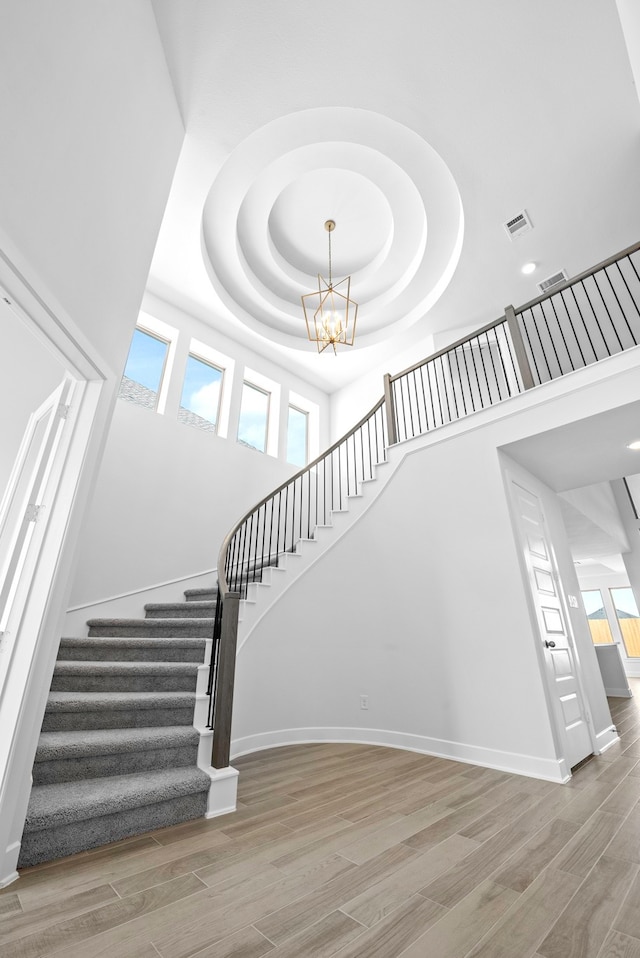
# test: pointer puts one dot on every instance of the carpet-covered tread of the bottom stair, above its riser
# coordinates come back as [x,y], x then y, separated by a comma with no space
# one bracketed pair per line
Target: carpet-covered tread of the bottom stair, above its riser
[70,802]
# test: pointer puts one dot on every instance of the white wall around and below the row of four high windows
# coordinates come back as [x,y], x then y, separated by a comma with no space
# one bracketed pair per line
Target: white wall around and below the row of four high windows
[168,493]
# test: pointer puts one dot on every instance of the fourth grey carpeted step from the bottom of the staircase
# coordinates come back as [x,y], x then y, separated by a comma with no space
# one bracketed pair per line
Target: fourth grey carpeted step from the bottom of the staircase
[70,676]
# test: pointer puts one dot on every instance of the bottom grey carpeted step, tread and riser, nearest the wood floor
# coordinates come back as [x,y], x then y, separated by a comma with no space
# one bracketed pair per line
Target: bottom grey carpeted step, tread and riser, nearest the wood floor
[73,816]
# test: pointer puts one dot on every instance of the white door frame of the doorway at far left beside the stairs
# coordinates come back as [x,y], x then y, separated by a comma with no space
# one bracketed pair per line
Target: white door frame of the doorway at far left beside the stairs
[42,591]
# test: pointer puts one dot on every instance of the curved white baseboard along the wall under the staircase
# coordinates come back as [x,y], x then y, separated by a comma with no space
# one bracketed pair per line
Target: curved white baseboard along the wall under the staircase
[551,770]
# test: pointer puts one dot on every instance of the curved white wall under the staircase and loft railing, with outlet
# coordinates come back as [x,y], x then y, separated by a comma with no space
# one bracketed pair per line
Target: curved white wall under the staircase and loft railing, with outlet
[422,606]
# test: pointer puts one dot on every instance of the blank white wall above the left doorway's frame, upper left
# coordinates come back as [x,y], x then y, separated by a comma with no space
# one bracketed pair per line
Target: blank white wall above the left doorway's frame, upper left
[90,137]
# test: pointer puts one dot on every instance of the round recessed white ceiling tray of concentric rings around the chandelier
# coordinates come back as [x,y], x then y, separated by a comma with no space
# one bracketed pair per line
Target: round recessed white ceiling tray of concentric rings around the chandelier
[397,208]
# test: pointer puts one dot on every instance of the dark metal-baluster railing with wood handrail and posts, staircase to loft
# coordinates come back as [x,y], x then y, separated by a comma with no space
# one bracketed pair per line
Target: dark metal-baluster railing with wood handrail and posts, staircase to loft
[577,323]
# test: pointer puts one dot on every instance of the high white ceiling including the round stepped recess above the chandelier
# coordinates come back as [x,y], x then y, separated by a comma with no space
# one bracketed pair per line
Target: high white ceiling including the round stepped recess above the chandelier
[420,127]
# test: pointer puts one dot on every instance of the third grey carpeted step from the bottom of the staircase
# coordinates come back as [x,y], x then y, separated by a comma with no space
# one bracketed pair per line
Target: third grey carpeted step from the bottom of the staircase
[101,710]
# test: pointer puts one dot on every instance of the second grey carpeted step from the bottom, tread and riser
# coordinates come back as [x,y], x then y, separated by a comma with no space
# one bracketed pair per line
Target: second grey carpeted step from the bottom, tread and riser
[72,756]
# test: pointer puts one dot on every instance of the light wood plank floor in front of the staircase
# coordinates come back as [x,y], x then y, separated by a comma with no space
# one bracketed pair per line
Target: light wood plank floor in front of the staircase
[362,852]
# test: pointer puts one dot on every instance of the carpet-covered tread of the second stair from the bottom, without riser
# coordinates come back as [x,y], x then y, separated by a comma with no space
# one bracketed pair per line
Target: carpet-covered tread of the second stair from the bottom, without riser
[79,744]
